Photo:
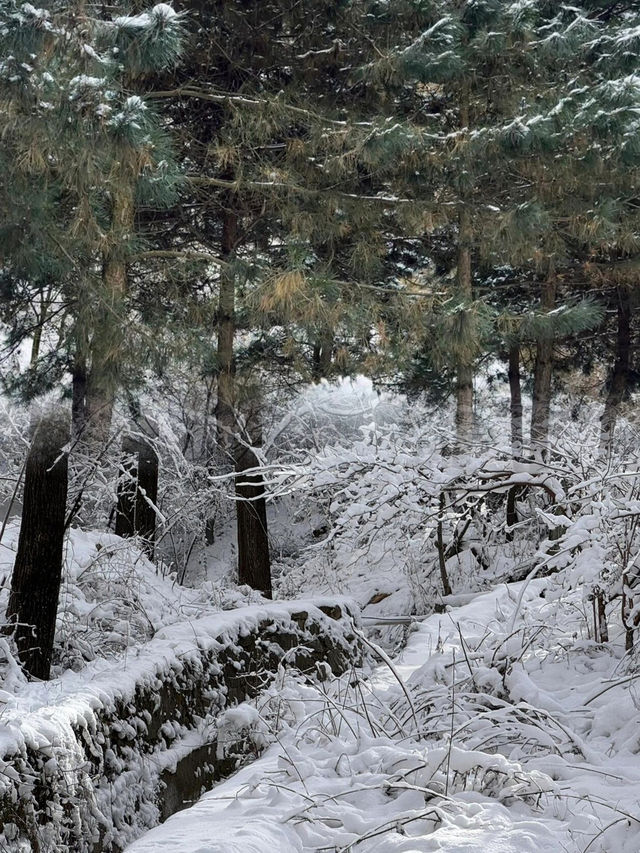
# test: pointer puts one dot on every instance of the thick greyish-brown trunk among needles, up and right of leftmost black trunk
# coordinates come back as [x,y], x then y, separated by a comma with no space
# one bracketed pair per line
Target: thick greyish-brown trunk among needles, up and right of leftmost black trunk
[107,338]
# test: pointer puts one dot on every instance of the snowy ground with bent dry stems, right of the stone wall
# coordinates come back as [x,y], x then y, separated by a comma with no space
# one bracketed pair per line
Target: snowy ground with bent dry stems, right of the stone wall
[501,728]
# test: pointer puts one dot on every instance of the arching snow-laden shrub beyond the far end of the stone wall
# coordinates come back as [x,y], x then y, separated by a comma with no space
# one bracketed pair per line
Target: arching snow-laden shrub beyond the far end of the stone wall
[394,498]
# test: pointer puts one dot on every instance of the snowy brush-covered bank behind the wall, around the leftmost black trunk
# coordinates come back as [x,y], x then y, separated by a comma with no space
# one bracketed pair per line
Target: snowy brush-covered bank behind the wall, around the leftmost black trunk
[112,598]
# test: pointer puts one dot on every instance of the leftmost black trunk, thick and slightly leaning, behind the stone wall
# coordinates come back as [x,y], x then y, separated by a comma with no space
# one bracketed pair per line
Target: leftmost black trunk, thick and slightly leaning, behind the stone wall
[35,583]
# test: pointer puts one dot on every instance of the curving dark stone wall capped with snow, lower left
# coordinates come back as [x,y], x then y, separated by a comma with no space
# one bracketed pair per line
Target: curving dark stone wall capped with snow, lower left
[117,748]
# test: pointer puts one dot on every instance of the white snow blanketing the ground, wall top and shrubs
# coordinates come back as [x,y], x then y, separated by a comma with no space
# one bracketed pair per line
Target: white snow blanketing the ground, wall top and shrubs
[501,725]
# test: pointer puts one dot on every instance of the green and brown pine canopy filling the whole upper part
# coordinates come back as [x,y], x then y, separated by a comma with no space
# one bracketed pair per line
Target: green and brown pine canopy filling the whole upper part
[354,176]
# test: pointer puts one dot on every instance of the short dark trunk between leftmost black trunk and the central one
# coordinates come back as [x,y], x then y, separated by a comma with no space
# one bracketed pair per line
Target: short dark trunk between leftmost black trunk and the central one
[138,493]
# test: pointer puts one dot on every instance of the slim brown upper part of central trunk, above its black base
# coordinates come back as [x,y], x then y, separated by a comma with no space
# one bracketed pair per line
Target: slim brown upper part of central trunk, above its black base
[225,408]
